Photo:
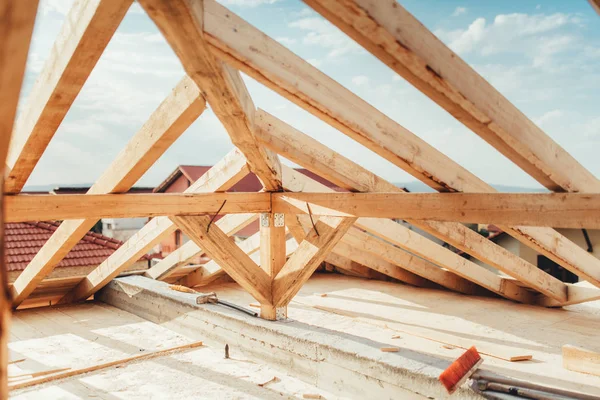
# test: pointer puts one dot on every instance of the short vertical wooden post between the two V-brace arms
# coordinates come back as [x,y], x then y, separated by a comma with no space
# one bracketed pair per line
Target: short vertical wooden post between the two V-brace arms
[272,257]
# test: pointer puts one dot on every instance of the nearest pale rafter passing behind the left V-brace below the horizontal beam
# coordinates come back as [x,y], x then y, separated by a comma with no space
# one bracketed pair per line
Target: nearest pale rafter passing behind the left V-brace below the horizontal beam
[167,266]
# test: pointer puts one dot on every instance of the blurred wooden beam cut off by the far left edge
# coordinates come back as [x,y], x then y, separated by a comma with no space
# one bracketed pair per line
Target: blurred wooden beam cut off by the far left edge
[16,26]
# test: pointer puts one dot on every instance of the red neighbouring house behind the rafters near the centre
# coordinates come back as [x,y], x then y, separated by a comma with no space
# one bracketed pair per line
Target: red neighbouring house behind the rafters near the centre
[184,175]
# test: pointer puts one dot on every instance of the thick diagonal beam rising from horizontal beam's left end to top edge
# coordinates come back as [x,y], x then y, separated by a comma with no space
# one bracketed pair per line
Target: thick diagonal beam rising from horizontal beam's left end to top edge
[88,28]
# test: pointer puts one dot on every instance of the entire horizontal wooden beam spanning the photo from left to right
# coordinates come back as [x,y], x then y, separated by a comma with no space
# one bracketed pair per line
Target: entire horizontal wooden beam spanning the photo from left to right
[562,210]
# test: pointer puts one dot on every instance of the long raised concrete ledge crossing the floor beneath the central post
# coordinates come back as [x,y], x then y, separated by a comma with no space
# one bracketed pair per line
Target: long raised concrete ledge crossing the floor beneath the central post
[344,364]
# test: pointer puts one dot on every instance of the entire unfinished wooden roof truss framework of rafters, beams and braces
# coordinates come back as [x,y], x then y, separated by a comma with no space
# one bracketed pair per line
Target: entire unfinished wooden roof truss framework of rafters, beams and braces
[345,229]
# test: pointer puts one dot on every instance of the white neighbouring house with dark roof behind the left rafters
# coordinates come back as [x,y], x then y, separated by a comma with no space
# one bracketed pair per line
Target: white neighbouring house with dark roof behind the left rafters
[116,228]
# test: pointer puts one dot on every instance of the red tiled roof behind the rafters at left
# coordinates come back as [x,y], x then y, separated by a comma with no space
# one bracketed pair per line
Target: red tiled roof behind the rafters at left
[23,240]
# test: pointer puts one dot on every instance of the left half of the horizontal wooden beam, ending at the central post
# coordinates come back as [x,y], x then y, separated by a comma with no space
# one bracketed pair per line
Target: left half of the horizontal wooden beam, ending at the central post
[96,206]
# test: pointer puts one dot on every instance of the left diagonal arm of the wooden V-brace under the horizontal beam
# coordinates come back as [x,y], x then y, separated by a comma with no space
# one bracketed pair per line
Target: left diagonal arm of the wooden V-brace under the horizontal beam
[230,257]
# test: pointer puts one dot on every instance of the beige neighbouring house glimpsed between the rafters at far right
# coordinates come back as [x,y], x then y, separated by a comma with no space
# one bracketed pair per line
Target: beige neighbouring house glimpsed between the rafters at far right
[587,239]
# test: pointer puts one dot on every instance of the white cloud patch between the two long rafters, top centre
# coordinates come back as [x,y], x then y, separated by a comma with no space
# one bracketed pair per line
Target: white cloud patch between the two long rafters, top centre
[322,33]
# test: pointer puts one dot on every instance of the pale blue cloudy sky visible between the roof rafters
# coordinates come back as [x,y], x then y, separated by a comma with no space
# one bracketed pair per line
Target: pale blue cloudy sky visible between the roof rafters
[543,56]
